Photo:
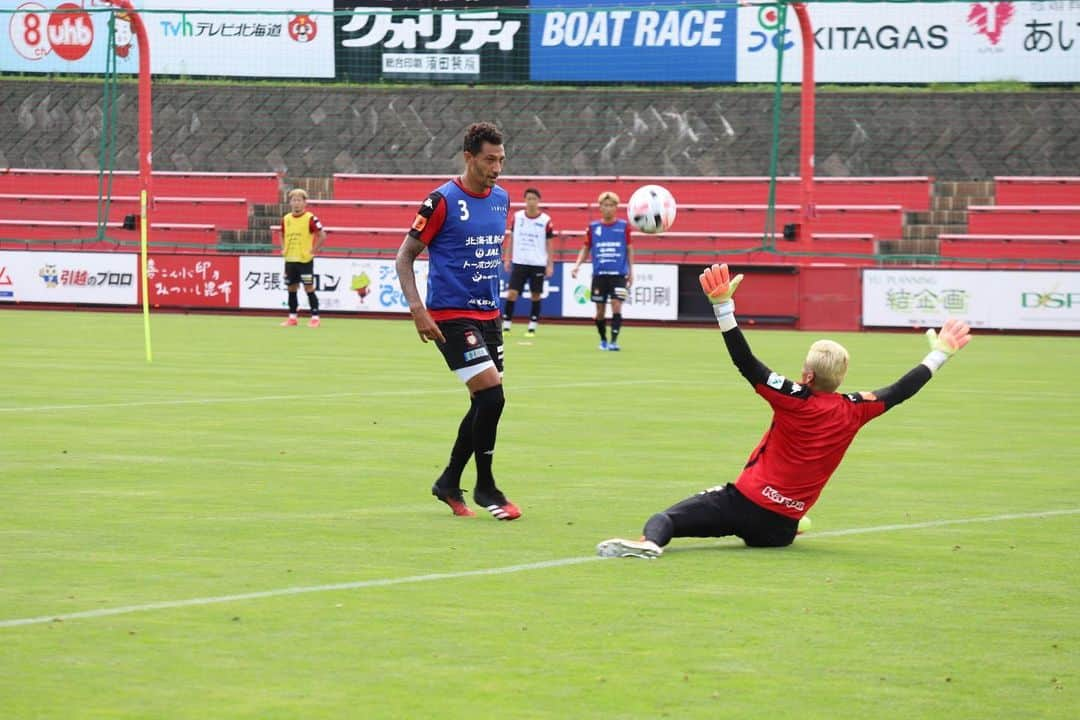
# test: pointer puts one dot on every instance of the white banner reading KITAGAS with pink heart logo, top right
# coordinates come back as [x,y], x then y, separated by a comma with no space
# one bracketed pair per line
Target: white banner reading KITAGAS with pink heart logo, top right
[941,43]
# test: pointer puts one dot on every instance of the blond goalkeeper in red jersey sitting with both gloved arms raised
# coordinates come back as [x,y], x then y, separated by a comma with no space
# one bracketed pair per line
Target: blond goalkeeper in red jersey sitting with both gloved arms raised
[813,427]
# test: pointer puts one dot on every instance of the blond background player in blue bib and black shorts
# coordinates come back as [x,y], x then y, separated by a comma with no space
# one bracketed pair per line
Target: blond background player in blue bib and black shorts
[609,240]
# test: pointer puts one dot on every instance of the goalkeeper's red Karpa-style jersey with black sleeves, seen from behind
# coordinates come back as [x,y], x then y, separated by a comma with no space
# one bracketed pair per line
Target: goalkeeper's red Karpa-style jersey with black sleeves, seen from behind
[809,432]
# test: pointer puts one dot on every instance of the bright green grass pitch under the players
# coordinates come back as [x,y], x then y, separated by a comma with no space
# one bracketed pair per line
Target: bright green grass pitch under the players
[269,488]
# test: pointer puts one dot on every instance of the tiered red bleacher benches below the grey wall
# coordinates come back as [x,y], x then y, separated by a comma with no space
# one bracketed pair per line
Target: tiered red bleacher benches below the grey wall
[1035,220]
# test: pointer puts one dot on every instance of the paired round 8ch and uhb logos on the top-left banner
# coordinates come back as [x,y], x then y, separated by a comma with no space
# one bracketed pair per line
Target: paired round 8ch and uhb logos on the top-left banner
[67,31]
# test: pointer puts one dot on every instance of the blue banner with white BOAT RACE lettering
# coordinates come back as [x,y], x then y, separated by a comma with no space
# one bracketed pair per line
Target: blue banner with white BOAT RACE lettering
[639,42]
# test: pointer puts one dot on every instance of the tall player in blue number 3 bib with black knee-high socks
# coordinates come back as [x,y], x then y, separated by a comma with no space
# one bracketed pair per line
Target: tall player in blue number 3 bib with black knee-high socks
[462,225]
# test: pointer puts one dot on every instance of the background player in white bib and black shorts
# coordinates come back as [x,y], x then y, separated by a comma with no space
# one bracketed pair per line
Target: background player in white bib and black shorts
[528,256]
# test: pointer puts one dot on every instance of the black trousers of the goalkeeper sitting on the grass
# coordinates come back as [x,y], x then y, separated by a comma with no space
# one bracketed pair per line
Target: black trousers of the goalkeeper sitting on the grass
[722,512]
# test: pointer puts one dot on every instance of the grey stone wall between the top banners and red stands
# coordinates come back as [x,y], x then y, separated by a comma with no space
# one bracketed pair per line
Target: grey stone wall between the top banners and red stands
[317,131]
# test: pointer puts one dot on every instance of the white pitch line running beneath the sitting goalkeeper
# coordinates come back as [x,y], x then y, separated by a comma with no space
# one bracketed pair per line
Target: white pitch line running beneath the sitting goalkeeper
[385,582]
